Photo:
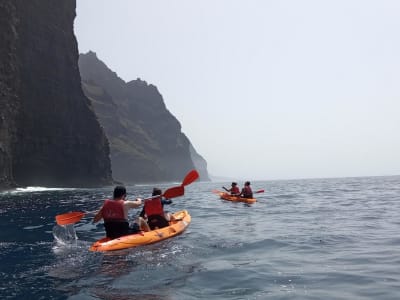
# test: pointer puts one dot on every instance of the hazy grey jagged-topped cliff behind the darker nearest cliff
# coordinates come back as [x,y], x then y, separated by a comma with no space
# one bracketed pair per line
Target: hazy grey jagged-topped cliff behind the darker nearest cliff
[145,138]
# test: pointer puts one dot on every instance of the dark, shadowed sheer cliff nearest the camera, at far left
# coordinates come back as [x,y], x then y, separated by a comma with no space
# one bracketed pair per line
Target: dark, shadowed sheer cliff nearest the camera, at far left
[49,134]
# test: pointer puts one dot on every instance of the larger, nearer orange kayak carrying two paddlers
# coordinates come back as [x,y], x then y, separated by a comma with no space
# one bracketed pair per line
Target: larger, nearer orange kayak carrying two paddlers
[145,238]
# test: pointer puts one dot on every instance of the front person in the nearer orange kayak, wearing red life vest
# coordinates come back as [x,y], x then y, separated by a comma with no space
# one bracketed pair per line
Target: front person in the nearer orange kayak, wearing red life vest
[154,210]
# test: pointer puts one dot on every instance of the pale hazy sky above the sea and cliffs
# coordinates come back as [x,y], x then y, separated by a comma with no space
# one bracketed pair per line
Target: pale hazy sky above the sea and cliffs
[264,89]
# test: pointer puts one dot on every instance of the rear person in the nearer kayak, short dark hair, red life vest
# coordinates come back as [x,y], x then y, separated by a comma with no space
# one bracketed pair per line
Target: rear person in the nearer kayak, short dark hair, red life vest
[115,215]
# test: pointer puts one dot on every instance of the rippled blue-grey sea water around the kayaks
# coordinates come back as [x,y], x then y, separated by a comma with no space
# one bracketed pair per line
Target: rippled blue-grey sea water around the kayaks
[303,239]
